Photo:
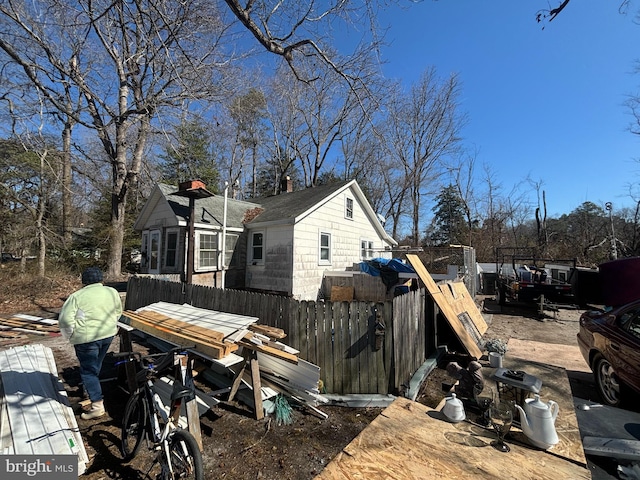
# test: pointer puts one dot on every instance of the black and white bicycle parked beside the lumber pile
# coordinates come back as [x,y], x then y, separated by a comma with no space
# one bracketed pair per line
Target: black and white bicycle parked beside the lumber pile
[147,417]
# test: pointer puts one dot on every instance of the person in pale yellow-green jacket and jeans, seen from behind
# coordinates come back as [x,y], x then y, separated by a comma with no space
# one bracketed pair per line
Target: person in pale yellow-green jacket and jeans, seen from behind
[88,319]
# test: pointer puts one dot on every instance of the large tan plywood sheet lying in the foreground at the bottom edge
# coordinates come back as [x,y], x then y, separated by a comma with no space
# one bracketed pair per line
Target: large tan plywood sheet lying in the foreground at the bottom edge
[409,440]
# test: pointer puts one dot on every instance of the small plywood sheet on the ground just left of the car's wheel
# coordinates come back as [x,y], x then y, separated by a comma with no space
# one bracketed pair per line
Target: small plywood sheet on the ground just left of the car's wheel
[566,356]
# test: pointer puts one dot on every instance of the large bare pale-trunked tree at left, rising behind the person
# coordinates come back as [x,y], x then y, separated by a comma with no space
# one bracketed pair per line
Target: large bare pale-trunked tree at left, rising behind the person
[128,62]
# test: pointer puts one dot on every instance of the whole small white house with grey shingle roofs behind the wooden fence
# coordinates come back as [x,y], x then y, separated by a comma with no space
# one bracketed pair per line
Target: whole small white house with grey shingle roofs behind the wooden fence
[281,244]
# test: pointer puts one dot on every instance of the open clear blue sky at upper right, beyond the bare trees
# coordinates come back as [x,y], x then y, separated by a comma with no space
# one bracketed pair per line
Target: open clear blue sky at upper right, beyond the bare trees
[542,103]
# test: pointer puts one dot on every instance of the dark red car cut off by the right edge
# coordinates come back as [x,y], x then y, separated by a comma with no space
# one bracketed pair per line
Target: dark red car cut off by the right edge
[610,343]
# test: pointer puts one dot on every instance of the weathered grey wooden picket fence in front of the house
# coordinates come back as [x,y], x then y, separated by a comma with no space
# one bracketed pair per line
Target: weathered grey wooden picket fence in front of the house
[360,347]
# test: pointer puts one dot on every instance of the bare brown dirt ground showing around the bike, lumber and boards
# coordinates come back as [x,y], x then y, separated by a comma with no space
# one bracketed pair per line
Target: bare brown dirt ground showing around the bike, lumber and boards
[238,446]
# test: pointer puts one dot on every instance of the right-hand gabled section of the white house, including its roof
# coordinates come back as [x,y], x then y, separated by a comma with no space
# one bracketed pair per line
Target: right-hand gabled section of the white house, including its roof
[308,232]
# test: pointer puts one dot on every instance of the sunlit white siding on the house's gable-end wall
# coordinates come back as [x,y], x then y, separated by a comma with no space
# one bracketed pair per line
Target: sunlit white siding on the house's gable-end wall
[346,235]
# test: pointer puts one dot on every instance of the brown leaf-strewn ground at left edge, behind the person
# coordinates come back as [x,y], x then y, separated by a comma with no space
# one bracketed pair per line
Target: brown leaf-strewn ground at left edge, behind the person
[25,292]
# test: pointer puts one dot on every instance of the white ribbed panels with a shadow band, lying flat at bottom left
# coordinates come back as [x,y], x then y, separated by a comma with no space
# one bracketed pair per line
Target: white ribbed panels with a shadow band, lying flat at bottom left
[36,417]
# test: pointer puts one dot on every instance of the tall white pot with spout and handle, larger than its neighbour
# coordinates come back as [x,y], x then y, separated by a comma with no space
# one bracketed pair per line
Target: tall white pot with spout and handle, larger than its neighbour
[537,421]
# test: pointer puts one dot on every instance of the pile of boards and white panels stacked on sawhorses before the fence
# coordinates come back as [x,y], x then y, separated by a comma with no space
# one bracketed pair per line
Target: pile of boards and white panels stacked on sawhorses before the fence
[227,343]
